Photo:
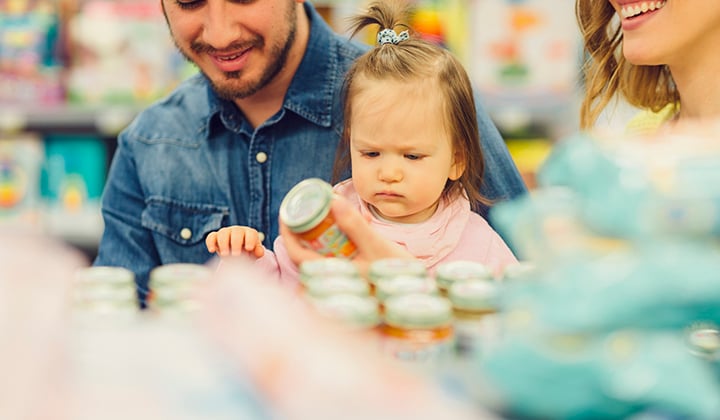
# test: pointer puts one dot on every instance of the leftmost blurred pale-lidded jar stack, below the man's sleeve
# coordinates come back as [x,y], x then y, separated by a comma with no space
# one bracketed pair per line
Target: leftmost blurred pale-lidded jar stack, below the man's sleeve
[104,290]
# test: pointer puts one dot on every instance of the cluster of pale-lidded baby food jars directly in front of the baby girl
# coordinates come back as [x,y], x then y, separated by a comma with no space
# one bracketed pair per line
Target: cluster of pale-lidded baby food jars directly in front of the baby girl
[419,317]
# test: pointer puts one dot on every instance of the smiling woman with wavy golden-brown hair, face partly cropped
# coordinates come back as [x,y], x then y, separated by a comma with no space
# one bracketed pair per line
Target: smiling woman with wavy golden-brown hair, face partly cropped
[658,55]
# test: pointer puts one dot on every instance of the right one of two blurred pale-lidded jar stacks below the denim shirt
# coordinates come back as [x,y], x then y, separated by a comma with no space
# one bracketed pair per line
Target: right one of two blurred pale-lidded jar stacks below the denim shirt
[171,286]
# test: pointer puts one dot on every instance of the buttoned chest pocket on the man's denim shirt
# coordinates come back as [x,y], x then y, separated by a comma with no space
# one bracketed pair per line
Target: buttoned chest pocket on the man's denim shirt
[183,223]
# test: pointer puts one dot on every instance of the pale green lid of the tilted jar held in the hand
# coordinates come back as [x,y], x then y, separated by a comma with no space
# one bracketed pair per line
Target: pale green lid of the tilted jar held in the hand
[306,204]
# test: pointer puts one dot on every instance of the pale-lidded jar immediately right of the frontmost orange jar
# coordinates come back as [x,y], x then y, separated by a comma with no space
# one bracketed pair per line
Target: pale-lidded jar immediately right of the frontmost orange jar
[477,325]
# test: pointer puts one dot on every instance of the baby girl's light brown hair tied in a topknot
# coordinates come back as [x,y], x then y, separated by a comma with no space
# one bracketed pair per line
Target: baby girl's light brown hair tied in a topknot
[417,60]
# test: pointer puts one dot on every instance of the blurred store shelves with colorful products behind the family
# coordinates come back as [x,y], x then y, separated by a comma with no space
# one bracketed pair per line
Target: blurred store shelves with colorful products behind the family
[74,73]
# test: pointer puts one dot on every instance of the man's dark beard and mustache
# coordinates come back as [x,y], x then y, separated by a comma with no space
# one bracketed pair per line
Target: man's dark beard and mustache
[278,57]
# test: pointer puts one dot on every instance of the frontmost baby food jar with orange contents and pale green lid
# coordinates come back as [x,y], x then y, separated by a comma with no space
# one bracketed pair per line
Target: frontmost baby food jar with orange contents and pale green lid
[418,328]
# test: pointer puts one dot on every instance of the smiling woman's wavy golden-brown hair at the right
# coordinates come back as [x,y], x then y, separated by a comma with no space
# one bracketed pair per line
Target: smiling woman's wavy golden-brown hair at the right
[608,73]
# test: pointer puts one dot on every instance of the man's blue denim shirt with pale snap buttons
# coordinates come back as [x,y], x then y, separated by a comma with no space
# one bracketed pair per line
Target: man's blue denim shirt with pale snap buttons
[191,163]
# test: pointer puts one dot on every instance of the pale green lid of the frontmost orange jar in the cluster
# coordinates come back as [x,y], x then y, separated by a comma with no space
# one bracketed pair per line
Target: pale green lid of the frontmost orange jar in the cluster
[418,311]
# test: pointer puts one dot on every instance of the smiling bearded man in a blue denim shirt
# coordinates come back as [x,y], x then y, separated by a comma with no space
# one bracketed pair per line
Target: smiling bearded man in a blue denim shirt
[226,145]
